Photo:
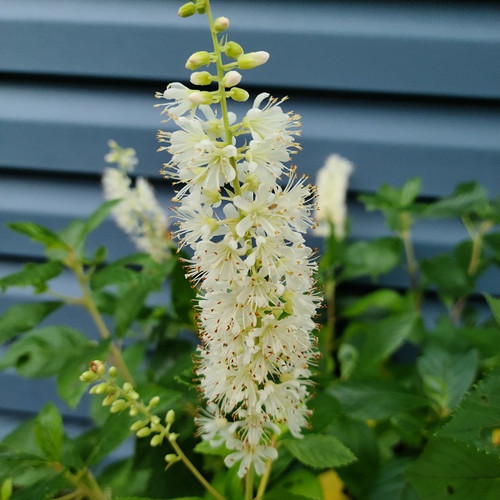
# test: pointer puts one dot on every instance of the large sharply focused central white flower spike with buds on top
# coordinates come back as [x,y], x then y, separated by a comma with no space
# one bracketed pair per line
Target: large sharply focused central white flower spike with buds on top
[244,213]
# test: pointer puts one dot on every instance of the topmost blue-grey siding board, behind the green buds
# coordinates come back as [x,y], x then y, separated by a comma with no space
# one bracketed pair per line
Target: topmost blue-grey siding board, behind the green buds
[430,49]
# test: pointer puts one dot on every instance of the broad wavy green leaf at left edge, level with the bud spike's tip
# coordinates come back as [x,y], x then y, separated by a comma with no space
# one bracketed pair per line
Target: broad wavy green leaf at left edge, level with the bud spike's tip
[43,352]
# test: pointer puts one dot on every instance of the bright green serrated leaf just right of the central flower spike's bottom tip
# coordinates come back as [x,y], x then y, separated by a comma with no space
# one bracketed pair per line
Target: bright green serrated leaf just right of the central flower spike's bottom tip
[319,451]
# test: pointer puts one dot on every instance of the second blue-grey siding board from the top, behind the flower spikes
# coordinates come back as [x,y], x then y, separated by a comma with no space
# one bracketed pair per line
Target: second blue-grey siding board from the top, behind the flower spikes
[388,141]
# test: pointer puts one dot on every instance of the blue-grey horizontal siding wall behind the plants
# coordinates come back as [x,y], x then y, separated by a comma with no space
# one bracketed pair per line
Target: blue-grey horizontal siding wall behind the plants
[401,89]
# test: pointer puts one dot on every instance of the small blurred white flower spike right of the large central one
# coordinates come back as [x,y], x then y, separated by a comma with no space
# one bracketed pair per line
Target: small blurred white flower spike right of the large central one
[332,181]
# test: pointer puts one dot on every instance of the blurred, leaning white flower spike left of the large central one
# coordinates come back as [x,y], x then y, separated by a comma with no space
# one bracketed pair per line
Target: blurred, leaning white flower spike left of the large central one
[138,213]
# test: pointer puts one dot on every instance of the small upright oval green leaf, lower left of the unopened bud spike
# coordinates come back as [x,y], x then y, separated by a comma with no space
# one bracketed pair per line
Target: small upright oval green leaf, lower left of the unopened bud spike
[49,432]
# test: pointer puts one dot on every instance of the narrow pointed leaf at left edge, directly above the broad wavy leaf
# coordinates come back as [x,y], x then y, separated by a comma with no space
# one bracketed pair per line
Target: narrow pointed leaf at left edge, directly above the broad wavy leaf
[22,317]
